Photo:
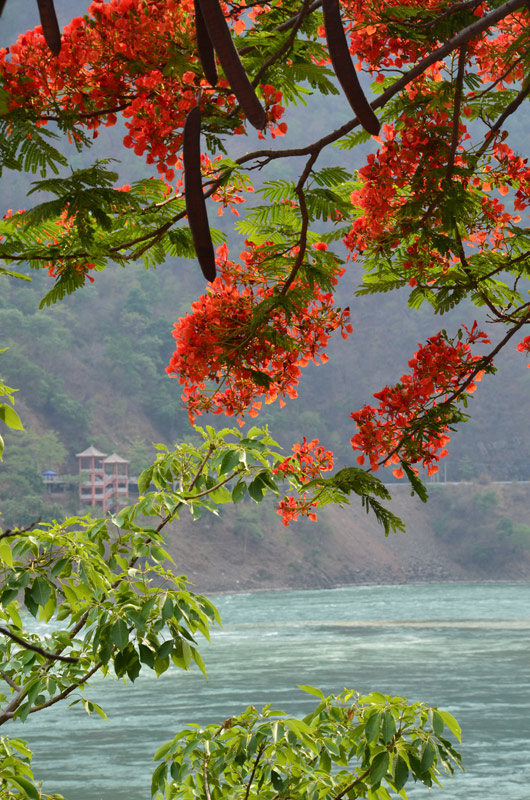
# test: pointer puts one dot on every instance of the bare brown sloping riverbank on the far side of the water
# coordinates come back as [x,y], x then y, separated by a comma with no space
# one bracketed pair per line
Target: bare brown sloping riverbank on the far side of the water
[465,532]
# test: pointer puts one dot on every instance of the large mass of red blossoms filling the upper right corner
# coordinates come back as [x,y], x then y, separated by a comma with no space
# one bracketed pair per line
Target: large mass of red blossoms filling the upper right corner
[407,178]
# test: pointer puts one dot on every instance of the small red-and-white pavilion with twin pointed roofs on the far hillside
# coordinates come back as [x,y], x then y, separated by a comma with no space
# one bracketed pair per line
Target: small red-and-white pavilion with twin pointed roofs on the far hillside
[105,479]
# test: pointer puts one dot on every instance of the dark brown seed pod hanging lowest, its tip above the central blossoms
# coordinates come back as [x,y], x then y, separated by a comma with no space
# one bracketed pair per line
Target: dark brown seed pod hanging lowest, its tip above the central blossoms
[195,205]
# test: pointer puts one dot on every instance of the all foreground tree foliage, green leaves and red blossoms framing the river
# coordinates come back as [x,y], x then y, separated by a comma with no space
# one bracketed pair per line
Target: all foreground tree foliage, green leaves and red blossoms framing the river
[439,208]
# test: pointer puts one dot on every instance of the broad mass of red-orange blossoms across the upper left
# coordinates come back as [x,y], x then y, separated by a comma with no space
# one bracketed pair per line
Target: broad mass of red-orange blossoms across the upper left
[96,76]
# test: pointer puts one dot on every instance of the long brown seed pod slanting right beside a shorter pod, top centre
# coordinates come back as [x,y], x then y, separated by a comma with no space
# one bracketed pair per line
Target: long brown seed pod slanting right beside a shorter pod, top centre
[221,39]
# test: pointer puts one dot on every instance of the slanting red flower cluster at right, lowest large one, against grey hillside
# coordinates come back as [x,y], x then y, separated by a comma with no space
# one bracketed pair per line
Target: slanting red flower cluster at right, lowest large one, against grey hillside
[387,434]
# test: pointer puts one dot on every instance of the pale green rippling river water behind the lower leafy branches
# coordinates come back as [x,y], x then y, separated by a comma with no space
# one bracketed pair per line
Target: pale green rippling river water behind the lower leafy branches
[463,647]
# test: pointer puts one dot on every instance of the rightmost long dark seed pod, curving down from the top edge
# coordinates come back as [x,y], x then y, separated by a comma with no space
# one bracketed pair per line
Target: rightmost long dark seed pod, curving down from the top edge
[344,68]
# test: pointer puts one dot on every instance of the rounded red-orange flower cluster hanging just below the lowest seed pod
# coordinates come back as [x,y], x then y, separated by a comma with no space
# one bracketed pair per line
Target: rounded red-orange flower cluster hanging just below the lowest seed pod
[248,346]
